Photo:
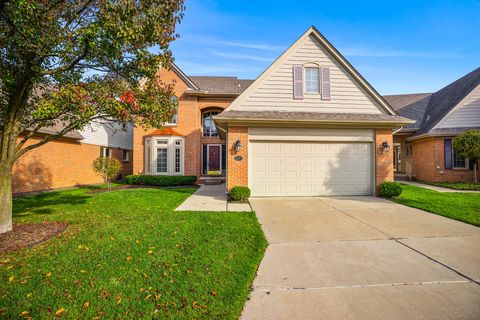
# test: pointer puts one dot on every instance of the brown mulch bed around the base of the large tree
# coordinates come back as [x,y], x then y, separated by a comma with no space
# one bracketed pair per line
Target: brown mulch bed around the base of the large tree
[28,234]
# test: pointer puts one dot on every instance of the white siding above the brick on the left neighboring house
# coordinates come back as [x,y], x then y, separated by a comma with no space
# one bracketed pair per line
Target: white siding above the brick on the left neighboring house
[108,135]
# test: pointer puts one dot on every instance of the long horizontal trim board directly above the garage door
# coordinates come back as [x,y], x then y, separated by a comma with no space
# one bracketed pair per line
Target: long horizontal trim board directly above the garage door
[305,134]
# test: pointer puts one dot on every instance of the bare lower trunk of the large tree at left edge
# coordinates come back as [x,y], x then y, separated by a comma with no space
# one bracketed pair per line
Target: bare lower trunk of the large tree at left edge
[5,198]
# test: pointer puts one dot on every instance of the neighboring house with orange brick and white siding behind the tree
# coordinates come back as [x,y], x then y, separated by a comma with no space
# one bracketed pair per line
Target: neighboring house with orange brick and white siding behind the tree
[67,162]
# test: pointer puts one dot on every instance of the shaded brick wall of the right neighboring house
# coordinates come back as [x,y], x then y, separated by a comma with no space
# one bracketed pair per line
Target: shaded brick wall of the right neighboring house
[429,163]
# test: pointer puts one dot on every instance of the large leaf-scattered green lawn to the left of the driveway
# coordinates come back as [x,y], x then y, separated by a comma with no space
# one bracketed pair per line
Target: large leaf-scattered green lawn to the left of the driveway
[183,265]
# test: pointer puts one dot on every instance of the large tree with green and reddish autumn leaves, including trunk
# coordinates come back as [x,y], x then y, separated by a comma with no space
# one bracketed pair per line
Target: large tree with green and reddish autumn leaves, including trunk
[65,63]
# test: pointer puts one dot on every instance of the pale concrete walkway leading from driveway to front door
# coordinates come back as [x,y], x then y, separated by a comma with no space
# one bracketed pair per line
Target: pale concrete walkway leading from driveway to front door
[211,198]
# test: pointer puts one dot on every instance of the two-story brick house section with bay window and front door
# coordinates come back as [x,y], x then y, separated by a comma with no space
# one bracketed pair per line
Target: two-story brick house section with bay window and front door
[190,143]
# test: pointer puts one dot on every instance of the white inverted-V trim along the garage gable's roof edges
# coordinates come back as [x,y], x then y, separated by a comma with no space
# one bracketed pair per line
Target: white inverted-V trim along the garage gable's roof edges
[333,53]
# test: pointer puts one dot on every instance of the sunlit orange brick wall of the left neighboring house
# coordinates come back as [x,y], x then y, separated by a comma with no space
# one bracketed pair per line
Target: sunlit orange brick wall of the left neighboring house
[59,164]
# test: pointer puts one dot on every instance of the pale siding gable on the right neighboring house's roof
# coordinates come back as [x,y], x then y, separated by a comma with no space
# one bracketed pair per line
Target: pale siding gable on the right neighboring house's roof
[465,114]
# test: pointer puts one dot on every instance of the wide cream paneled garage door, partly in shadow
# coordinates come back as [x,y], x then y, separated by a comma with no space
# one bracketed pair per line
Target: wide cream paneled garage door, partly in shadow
[293,168]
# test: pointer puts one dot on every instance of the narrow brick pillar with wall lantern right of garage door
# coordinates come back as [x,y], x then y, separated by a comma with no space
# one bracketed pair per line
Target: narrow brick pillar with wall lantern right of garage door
[383,161]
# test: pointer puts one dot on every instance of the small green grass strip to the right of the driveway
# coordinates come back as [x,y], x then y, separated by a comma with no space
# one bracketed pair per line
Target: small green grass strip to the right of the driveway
[459,206]
